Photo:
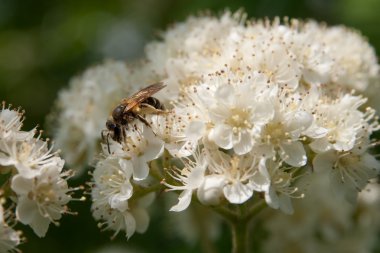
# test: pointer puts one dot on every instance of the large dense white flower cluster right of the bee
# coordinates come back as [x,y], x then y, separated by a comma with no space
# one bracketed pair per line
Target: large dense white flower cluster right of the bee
[266,103]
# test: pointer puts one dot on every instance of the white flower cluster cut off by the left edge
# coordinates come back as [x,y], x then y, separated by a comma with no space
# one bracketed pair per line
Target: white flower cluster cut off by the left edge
[35,175]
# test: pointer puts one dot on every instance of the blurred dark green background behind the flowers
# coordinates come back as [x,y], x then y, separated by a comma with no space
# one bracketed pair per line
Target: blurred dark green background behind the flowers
[43,43]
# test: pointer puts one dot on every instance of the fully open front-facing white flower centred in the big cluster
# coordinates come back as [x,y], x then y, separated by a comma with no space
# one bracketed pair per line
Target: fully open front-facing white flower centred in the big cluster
[236,119]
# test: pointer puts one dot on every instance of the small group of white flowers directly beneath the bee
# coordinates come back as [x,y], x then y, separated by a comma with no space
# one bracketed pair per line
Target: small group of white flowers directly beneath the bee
[119,176]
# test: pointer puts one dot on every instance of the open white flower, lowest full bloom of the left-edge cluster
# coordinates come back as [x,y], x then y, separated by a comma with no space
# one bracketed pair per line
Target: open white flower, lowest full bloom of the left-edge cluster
[41,199]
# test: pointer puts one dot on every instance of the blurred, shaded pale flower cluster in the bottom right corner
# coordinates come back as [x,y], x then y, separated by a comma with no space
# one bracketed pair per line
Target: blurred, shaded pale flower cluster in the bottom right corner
[339,227]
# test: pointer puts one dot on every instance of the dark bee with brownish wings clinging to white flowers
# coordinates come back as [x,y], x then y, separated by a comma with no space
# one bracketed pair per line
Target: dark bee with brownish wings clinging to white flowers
[129,109]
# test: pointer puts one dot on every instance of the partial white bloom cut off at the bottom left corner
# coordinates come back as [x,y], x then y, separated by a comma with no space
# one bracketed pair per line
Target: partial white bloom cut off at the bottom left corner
[9,238]
